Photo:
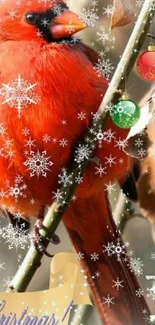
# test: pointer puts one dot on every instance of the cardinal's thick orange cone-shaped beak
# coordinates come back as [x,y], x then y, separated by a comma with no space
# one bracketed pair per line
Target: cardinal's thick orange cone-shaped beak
[66,25]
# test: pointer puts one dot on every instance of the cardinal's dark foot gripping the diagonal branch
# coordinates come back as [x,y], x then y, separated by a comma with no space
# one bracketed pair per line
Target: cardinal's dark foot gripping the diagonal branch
[39,241]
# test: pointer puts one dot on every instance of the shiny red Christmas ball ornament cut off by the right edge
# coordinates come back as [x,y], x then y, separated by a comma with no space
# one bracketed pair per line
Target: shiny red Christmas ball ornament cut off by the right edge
[146,64]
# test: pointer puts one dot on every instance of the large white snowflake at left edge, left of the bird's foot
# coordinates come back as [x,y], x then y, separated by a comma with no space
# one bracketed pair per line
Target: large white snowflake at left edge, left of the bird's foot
[15,237]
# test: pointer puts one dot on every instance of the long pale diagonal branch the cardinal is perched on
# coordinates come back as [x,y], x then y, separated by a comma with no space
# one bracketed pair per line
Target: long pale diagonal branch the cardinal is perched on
[57,210]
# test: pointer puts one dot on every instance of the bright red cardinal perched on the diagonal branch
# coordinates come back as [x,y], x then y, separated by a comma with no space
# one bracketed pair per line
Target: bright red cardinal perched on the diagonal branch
[49,91]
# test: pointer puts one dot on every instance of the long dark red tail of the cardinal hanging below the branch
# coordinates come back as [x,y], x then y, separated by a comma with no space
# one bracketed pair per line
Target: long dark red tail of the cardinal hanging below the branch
[105,261]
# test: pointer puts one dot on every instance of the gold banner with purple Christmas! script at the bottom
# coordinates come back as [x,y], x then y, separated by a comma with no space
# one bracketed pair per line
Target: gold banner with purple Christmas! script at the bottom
[68,286]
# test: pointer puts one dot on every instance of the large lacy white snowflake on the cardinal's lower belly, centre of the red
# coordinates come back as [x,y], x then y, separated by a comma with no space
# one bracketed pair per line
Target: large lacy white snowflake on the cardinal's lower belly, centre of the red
[38,163]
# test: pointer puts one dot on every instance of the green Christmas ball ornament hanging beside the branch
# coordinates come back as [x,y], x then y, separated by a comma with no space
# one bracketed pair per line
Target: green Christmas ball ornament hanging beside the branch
[125,113]
